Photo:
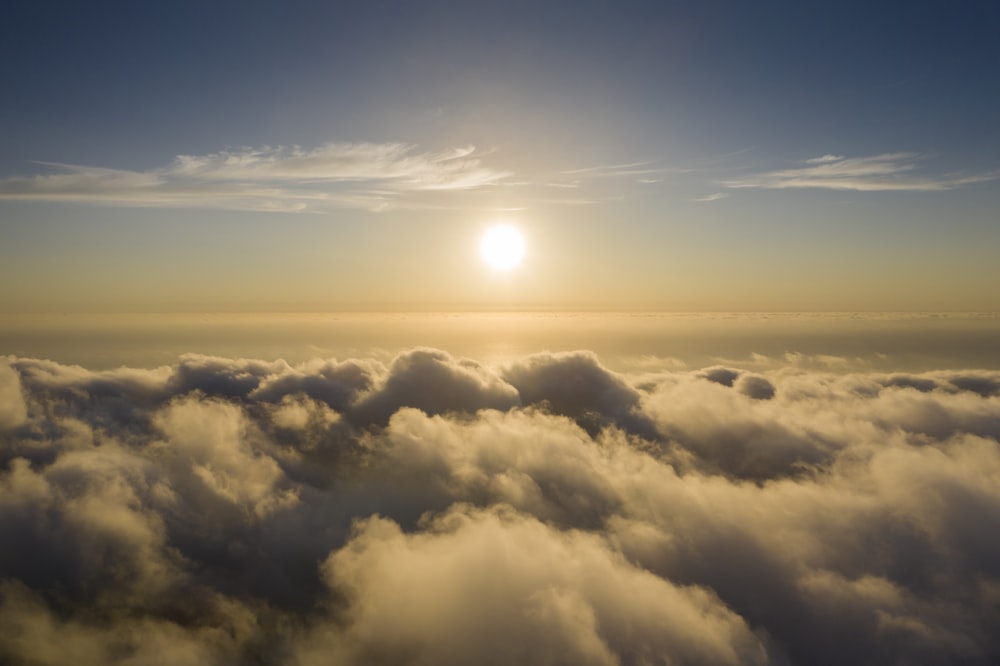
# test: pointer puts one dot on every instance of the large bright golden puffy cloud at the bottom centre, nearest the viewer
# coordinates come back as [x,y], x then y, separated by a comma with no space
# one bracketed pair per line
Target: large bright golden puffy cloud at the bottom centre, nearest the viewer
[499,587]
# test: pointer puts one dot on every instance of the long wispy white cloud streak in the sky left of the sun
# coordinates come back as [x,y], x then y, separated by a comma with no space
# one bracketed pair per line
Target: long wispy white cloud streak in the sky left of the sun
[285,178]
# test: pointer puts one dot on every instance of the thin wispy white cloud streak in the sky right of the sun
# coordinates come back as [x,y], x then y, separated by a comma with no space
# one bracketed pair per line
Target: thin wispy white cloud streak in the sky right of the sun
[876,173]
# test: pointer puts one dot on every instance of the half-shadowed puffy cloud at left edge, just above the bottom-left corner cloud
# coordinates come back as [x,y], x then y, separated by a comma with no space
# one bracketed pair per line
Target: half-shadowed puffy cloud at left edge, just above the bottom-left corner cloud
[80,527]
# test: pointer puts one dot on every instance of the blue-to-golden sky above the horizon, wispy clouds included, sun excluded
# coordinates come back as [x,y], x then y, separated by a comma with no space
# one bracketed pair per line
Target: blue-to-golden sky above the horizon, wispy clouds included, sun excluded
[315,156]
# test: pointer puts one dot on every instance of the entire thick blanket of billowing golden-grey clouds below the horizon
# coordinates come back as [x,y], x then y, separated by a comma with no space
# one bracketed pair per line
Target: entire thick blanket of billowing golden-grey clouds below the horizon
[436,510]
